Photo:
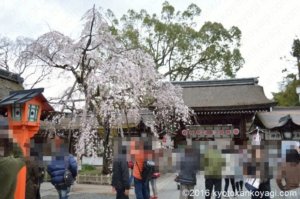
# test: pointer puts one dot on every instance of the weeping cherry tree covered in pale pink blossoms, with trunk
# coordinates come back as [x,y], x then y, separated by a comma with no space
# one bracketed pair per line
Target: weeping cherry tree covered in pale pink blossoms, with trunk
[114,82]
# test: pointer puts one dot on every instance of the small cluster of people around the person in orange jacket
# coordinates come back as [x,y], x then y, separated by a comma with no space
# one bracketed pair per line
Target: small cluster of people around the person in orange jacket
[139,156]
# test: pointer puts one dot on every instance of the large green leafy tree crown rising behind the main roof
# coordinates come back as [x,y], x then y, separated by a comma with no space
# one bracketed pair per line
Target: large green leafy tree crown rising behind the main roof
[180,50]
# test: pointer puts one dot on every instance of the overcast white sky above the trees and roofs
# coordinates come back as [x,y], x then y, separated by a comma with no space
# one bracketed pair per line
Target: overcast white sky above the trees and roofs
[268,26]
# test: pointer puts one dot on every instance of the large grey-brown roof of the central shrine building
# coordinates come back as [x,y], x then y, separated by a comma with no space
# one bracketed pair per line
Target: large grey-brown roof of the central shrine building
[231,94]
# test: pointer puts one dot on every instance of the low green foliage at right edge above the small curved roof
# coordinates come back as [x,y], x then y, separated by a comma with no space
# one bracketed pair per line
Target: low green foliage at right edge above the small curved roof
[288,97]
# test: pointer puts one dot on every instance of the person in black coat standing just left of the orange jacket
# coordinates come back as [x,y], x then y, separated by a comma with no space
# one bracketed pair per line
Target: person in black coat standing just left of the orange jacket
[120,175]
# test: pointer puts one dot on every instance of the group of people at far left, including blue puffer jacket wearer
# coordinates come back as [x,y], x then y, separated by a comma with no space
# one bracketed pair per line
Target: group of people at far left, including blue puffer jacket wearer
[62,168]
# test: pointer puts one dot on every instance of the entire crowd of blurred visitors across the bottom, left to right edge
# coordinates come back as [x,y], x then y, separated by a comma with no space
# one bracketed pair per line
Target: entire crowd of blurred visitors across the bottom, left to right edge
[137,163]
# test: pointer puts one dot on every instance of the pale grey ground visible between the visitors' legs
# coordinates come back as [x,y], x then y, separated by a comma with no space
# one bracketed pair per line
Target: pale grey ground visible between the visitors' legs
[166,188]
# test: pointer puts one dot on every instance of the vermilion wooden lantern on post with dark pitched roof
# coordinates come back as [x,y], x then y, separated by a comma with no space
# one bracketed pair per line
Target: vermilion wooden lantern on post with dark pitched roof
[24,111]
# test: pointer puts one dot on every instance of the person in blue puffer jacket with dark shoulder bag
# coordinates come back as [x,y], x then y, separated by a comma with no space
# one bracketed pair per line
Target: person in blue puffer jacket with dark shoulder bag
[61,161]
